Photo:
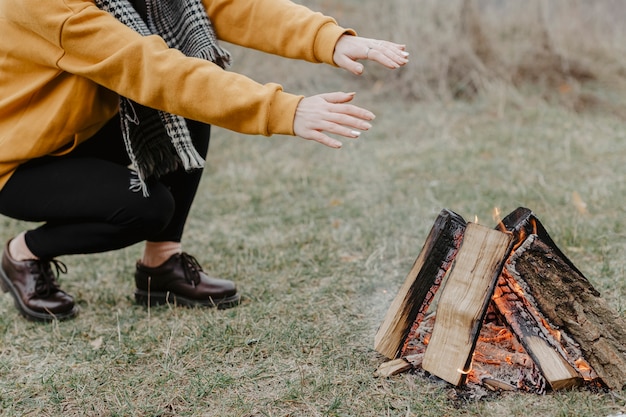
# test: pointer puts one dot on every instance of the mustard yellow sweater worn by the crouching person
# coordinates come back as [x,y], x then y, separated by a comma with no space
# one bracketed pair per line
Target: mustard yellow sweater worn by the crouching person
[64,63]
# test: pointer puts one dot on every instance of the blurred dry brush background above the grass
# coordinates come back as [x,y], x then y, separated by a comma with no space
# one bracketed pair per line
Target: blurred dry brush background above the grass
[568,51]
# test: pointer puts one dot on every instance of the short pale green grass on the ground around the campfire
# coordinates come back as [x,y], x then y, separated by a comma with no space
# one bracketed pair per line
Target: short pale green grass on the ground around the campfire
[319,242]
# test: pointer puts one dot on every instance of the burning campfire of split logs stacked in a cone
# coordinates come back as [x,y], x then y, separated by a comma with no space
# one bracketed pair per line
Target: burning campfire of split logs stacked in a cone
[502,308]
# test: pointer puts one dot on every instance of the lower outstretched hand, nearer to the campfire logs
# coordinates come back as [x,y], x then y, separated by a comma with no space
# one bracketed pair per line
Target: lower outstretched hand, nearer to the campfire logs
[330,113]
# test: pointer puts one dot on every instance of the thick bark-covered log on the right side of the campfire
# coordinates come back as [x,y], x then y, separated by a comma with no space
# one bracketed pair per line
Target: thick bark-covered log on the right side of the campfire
[567,300]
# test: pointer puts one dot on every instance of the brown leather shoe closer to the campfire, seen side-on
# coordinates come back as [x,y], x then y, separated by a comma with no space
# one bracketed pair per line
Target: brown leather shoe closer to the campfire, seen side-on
[180,280]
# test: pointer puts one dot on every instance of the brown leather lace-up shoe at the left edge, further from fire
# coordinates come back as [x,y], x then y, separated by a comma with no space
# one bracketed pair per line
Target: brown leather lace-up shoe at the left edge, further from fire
[35,289]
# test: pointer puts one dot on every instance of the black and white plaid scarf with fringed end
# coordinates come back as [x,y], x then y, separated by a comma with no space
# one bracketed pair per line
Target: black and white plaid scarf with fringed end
[158,142]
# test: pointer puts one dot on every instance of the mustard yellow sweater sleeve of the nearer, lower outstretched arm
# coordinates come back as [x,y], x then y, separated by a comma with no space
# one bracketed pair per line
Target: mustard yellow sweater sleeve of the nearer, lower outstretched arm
[90,43]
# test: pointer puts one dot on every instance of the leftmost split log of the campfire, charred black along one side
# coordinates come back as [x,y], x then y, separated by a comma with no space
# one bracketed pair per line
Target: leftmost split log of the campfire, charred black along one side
[420,285]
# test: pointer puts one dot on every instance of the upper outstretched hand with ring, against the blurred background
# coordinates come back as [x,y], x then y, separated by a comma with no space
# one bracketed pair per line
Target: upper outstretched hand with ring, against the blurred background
[350,49]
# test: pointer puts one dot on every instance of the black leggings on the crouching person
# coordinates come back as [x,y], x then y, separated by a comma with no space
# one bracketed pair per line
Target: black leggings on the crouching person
[85,201]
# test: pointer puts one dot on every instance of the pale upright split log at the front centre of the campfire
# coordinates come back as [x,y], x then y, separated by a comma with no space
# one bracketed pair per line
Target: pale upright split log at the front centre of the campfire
[464,300]
